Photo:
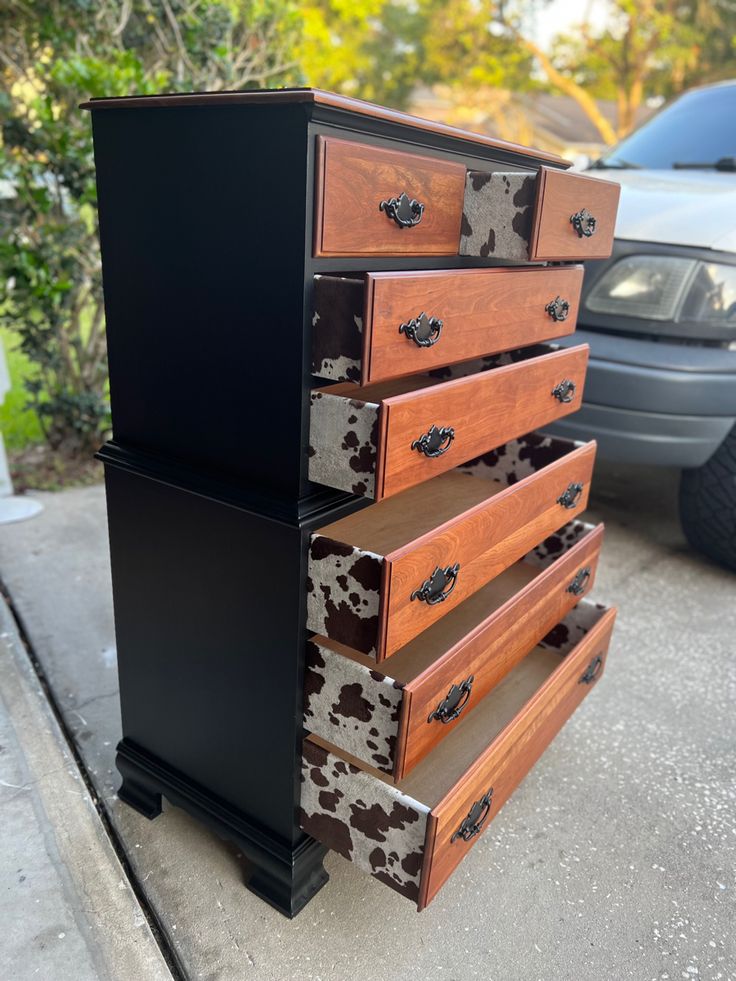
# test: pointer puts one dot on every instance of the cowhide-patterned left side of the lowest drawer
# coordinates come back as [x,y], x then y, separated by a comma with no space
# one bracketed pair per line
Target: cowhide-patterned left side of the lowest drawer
[364,819]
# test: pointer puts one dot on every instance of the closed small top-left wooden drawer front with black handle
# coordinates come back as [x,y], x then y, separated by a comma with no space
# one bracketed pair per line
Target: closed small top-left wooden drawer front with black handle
[357,187]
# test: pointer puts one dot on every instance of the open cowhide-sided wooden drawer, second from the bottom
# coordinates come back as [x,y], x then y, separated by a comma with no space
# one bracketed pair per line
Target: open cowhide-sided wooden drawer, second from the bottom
[391,718]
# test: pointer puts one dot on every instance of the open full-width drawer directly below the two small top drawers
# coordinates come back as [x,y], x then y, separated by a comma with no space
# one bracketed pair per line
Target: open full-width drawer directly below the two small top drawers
[378,326]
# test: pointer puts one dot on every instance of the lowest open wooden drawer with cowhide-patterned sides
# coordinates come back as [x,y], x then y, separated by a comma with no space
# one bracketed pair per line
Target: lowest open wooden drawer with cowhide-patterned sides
[412,835]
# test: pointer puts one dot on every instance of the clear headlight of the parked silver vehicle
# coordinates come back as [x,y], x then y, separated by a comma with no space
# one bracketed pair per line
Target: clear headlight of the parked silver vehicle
[662,287]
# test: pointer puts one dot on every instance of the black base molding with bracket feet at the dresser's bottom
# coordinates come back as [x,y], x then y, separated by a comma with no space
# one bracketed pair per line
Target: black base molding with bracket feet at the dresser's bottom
[284,877]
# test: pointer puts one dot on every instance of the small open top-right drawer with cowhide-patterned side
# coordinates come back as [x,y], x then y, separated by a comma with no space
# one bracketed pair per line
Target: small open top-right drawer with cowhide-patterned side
[551,215]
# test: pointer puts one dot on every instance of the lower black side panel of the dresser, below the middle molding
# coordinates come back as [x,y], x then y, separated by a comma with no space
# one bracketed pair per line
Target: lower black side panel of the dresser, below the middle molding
[209,612]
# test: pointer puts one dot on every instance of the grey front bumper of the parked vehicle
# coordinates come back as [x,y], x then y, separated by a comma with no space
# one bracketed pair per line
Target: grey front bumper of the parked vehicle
[653,402]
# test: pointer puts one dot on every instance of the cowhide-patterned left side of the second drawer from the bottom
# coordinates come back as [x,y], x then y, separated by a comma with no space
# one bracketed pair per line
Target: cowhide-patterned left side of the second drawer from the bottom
[352,706]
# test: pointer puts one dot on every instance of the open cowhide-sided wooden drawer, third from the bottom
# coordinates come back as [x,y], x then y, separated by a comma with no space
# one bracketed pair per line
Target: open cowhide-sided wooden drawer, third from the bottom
[383,575]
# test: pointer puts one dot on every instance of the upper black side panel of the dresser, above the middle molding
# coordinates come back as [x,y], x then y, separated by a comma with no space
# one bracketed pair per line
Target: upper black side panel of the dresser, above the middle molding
[202,214]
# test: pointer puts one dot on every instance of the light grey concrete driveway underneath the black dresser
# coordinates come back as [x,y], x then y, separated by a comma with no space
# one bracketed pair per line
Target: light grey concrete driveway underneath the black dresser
[615,858]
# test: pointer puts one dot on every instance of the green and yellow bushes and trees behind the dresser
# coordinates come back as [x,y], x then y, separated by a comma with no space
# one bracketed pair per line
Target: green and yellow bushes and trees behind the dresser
[55,53]
